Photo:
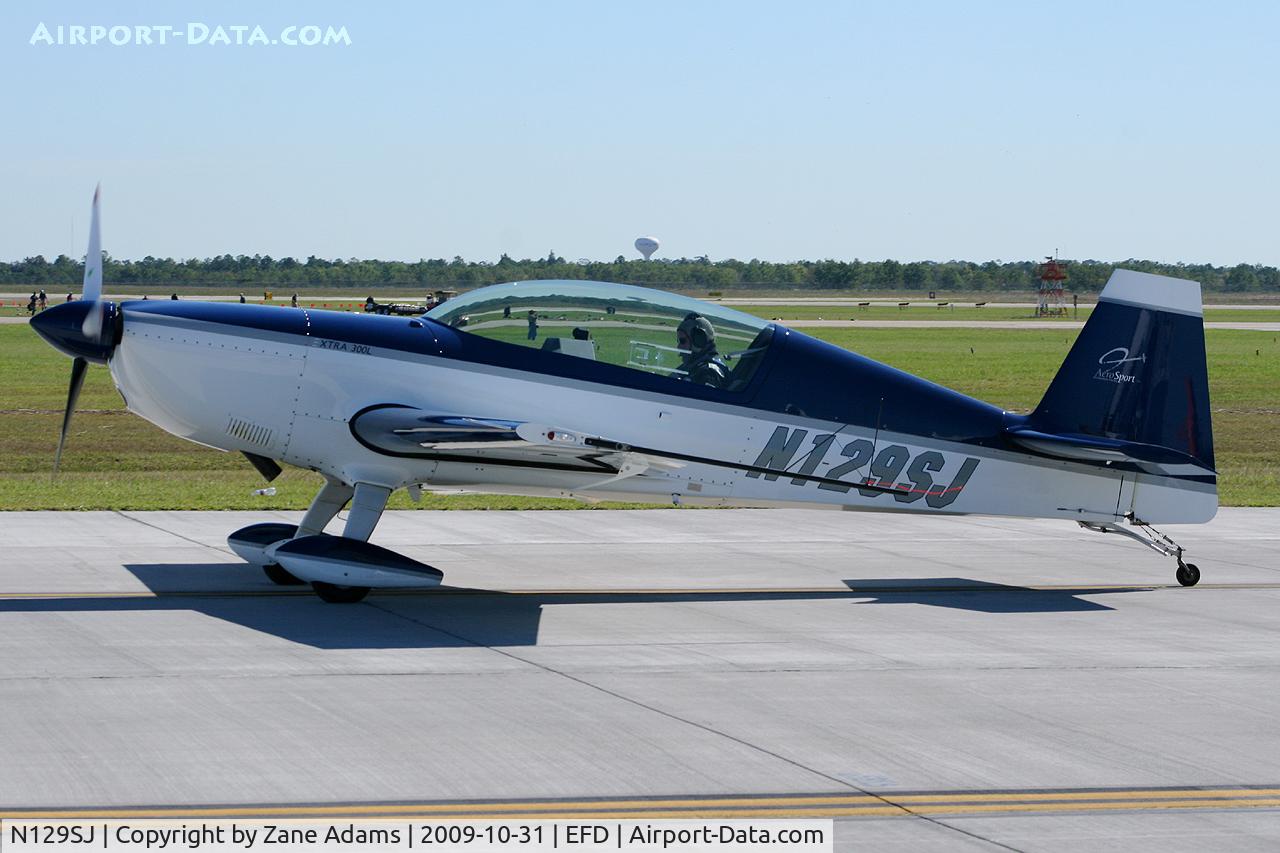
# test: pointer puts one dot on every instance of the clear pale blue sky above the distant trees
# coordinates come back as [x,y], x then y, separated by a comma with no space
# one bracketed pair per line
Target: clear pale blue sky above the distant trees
[734,130]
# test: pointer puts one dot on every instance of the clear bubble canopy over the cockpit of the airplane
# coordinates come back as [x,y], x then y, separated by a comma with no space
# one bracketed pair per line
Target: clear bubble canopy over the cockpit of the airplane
[619,325]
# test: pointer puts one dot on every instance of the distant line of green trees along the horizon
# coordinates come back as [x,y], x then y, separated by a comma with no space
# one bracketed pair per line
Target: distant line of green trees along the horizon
[263,272]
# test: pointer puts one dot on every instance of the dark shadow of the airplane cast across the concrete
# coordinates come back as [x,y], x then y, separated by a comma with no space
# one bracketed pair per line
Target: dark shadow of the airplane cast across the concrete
[459,618]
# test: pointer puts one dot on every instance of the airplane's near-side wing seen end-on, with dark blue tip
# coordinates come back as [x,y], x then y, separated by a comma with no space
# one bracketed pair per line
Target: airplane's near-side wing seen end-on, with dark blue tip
[405,431]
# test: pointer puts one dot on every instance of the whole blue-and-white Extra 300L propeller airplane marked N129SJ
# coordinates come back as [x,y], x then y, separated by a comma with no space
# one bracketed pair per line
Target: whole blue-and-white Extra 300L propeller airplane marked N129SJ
[595,390]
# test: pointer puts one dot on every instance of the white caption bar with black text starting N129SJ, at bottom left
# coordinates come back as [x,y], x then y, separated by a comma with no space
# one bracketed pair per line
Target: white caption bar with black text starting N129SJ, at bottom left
[427,836]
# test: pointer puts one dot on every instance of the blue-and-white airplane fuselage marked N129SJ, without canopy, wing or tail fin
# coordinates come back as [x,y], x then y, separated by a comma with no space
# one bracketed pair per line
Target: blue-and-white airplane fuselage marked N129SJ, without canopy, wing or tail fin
[816,423]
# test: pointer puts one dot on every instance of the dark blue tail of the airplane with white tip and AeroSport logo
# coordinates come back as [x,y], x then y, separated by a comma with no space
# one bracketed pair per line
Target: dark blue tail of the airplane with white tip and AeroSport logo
[1133,395]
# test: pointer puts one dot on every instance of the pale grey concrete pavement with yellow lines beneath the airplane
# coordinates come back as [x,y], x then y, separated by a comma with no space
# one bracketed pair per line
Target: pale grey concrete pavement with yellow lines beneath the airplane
[931,683]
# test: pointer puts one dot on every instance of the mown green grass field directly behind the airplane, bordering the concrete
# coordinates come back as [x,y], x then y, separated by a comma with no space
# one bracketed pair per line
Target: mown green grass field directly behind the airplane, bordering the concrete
[116,460]
